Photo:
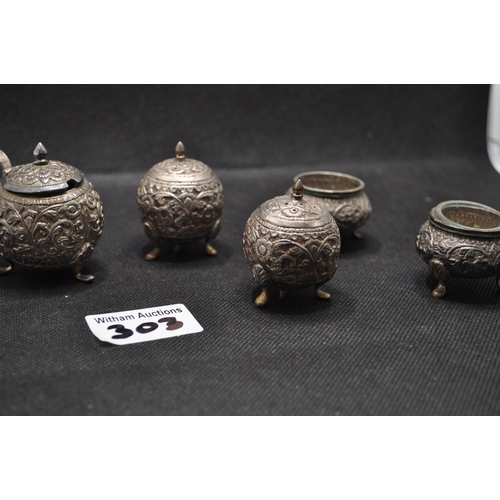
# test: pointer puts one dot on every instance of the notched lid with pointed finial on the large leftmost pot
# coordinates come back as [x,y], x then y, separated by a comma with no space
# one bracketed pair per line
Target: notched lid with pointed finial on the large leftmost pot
[42,177]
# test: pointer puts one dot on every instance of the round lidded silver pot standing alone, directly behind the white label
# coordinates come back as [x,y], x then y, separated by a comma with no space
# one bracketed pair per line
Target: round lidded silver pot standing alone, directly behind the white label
[180,202]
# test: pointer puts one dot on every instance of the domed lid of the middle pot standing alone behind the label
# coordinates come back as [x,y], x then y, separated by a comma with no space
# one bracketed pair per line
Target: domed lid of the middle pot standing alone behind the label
[181,168]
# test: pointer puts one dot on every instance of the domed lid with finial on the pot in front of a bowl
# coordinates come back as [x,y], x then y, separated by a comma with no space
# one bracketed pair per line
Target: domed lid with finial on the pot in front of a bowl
[294,211]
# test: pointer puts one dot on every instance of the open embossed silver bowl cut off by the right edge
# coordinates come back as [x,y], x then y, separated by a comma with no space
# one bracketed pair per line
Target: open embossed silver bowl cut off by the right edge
[461,238]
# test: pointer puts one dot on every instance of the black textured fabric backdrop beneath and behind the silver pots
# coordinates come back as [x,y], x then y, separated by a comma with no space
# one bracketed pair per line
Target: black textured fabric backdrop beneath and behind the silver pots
[382,345]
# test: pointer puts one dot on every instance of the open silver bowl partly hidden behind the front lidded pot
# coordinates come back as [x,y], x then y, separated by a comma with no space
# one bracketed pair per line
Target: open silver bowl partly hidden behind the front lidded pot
[342,194]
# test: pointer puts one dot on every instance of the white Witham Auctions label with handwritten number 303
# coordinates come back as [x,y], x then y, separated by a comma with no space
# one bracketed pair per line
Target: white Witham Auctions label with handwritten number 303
[141,325]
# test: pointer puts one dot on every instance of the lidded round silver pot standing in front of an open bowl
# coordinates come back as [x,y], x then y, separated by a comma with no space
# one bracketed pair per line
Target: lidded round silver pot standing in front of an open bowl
[291,243]
